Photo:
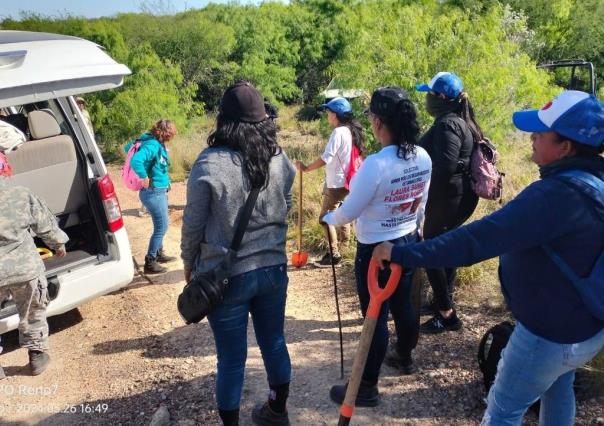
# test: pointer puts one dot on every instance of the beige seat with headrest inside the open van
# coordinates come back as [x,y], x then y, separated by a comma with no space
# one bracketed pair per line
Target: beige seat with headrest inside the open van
[48,165]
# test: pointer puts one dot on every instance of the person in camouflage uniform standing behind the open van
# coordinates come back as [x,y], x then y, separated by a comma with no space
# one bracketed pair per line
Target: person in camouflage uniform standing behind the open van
[22,273]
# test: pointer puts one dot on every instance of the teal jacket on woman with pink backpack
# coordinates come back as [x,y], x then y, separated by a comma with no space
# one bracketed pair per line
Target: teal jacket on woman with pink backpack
[151,161]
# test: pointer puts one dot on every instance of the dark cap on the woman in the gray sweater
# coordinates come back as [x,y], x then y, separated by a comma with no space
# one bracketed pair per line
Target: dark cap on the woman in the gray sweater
[242,102]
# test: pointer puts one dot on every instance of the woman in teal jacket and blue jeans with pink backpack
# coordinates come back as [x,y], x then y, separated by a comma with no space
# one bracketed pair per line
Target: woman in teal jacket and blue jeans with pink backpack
[151,163]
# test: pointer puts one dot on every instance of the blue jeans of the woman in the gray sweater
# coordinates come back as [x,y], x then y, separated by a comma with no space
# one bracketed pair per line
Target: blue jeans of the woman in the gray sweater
[262,294]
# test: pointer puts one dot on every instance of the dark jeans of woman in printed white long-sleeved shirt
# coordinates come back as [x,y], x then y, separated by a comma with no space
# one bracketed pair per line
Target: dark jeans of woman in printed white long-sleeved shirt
[406,321]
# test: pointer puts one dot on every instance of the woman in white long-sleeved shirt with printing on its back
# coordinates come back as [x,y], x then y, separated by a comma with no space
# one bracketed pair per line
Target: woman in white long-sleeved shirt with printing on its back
[387,199]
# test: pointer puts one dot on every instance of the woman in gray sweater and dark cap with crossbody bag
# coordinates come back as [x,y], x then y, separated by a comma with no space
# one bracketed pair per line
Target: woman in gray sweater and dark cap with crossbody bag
[243,154]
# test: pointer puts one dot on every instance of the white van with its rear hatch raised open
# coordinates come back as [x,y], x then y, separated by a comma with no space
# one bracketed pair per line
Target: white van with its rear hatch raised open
[61,163]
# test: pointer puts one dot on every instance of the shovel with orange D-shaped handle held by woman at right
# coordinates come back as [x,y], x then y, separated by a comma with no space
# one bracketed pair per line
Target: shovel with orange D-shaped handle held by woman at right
[377,297]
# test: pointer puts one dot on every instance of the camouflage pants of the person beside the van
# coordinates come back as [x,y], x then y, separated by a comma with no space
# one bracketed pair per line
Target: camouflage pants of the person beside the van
[31,299]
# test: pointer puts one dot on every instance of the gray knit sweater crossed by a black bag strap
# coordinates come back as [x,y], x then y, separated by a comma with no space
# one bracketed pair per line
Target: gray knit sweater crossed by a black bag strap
[216,193]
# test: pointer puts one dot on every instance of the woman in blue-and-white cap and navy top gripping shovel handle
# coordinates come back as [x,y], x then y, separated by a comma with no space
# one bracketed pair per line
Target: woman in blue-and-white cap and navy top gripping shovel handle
[547,237]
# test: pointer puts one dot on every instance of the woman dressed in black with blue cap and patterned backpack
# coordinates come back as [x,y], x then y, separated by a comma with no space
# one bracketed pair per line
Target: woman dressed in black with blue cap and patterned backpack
[449,142]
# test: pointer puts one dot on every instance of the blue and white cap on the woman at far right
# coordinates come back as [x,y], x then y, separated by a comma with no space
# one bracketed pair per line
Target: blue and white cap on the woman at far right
[576,115]
